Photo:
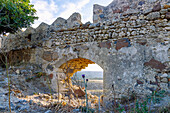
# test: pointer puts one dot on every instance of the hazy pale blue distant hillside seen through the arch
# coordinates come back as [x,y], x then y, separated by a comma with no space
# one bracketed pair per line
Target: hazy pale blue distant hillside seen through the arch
[89,74]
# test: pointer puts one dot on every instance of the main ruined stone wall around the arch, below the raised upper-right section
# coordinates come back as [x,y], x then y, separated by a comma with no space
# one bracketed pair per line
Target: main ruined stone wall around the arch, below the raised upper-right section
[132,50]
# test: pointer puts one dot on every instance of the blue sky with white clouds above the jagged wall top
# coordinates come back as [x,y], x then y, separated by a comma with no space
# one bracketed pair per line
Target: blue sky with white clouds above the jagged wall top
[49,10]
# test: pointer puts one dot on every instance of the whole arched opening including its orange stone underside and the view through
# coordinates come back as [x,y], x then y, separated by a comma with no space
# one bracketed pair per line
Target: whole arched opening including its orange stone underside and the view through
[73,70]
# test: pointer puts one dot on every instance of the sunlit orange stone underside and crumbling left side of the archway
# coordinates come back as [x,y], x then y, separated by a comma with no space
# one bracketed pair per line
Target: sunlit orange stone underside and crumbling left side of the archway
[67,70]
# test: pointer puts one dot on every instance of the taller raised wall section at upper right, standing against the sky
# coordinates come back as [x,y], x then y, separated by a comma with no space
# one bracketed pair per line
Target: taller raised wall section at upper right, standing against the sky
[122,8]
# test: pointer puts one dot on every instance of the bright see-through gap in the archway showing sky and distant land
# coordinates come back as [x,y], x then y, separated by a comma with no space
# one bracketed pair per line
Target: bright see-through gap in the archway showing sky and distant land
[94,74]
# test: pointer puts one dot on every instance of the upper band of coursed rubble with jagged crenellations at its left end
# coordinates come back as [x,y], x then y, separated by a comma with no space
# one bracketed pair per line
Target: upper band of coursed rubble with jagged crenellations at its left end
[153,24]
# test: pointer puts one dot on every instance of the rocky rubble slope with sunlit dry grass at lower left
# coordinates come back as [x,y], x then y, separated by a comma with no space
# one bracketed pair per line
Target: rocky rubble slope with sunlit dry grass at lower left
[34,96]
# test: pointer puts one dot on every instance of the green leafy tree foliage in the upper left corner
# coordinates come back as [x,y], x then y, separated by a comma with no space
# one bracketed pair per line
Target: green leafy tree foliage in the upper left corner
[16,14]
